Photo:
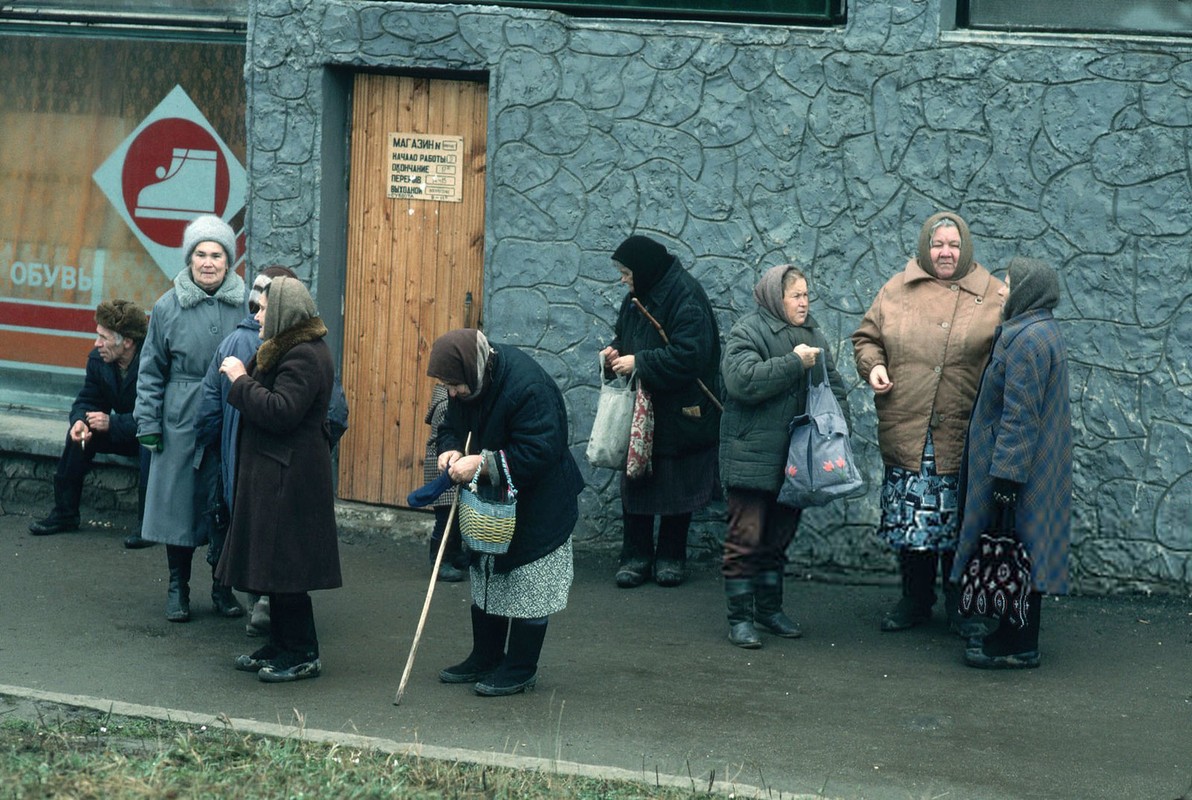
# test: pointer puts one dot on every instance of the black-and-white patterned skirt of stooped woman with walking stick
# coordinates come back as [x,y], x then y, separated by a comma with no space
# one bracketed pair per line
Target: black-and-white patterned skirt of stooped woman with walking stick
[531,591]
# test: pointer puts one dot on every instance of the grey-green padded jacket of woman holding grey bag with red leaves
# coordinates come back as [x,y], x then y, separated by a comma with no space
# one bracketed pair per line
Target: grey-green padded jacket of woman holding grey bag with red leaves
[766,385]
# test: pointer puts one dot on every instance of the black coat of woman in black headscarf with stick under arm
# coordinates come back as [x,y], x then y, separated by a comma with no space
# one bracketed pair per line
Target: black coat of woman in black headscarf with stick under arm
[686,421]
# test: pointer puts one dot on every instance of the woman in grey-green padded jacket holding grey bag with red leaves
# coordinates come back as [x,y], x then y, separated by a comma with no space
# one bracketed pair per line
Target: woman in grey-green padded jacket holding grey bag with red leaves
[768,367]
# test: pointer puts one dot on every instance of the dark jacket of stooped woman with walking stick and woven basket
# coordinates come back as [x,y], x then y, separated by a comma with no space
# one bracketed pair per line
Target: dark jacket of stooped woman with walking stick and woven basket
[520,411]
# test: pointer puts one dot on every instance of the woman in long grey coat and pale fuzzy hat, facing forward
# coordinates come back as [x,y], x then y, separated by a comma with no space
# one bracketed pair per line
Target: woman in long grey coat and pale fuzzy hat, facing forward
[185,328]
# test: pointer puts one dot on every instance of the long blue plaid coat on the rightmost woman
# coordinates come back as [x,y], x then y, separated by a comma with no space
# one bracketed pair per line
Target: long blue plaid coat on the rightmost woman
[1021,431]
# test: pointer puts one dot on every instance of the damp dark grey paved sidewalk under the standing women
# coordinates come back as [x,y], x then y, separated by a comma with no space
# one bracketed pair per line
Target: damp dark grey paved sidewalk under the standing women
[642,681]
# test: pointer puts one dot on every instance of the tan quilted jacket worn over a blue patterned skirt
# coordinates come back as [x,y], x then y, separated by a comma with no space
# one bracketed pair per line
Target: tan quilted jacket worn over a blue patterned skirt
[934,338]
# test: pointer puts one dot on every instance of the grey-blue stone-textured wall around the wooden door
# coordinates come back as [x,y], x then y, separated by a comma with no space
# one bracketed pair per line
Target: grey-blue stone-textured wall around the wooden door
[743,147]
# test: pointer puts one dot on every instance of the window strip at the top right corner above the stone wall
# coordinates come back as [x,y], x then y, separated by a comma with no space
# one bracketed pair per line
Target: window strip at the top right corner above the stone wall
[1151,17]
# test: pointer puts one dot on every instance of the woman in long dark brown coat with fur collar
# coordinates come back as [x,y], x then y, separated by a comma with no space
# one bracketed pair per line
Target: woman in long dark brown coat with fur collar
[283,537]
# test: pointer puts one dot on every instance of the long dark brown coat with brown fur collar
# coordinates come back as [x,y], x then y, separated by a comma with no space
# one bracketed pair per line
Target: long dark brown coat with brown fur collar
[283,537]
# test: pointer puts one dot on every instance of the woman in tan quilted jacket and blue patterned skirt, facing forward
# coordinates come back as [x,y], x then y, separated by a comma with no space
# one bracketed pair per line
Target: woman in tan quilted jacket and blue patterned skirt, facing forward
[921,348]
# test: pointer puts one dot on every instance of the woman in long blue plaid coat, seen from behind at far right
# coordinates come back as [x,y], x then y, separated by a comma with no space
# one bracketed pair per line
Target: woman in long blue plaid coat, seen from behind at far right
[1019,458]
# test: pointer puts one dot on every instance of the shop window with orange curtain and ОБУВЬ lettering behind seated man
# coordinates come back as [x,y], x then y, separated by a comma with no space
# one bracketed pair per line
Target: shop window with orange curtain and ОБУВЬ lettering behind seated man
[67,104]
